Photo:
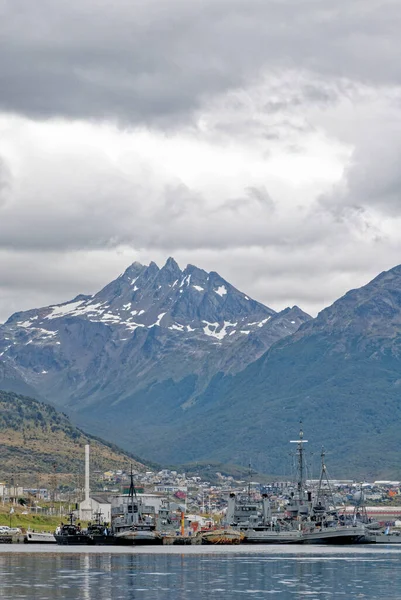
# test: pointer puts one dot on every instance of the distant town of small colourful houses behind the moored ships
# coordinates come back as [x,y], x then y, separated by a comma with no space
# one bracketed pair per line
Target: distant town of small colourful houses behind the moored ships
[194,494]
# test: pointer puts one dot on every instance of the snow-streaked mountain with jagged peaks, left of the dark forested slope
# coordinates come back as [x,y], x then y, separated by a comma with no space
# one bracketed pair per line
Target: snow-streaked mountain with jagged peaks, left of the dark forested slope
[149,341]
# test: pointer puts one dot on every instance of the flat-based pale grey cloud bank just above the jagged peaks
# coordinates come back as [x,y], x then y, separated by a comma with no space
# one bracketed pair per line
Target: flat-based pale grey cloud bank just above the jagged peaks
[172,218]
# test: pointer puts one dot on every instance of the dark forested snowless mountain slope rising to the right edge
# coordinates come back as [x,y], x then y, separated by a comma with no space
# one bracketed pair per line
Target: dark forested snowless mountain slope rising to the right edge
[340,373]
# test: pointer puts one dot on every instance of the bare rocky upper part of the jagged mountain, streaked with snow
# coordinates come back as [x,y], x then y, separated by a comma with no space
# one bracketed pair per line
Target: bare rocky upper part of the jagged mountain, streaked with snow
[189,302]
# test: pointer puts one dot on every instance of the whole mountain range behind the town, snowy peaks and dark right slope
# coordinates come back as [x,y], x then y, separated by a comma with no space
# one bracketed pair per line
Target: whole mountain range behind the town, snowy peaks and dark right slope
[180,374]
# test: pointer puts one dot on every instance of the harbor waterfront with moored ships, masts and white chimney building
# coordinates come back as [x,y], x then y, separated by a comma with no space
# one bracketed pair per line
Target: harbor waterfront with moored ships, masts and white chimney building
[309,515]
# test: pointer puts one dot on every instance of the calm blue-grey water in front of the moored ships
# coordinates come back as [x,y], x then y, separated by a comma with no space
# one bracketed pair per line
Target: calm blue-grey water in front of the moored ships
[201,573]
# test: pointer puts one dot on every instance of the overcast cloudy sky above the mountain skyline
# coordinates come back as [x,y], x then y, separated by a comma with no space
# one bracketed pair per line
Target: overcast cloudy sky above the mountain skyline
[260,139]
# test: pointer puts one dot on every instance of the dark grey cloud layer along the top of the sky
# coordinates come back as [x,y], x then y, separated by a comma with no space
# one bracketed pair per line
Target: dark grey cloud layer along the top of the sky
[156,62]
